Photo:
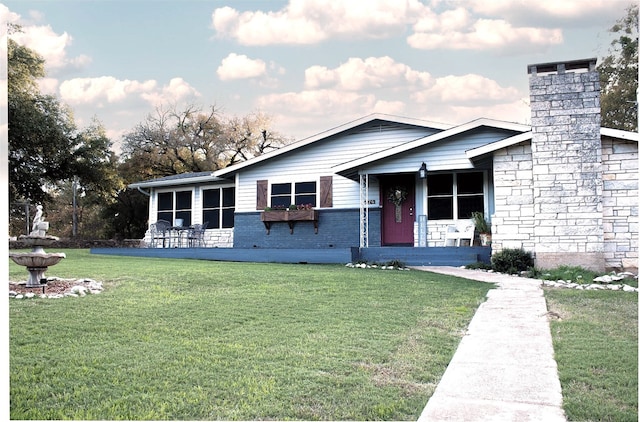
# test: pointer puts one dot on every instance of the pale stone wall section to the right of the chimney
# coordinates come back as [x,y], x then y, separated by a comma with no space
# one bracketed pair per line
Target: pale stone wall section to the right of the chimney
[620,203]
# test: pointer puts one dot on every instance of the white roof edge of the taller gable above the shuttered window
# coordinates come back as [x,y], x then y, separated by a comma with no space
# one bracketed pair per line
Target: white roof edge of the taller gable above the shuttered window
[328,133]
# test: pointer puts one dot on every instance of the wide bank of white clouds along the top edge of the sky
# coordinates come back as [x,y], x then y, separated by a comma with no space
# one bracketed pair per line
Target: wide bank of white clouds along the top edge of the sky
[504,25]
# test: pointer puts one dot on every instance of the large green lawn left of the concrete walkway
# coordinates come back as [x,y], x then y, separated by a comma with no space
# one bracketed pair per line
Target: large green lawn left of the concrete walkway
[193,340]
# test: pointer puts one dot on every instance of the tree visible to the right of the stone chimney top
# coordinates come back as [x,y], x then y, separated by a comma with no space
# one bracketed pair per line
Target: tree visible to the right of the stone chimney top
[619,75]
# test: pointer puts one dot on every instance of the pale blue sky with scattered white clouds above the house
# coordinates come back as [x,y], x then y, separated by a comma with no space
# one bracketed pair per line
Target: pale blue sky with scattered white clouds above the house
[311,65]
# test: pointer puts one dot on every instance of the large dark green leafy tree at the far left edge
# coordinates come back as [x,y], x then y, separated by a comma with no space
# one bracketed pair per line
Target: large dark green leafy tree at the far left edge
[45,146]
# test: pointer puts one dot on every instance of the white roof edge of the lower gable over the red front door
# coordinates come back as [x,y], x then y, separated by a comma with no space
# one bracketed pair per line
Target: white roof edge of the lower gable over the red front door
[349,166]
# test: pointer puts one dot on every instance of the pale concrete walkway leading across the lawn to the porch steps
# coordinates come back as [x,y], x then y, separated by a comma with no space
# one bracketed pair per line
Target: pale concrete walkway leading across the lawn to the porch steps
[504,367]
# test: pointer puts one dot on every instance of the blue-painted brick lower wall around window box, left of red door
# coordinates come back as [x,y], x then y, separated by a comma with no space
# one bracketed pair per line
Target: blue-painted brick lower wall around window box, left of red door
[337,228]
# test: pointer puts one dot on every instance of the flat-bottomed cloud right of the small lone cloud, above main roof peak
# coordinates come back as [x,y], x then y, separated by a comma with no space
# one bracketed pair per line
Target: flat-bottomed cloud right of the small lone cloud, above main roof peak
[372,72]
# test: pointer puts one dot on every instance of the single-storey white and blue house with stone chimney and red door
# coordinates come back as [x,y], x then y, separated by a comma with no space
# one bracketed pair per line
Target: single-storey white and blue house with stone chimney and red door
[563,187]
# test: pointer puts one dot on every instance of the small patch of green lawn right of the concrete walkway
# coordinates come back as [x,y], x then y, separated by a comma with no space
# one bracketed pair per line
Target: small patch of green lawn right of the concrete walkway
[596,348]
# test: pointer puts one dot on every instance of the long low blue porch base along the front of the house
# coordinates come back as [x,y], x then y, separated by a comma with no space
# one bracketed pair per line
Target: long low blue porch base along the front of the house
[439,256]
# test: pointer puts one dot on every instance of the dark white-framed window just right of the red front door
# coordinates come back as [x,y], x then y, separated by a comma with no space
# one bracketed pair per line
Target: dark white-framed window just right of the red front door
[455,195]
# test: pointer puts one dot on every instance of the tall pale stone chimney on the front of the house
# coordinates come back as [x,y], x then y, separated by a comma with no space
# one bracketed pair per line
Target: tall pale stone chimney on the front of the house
[567,164]
